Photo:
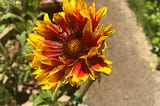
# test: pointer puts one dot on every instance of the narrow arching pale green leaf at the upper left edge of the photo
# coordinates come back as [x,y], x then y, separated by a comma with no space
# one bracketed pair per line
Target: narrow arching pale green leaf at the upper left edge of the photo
[11,16]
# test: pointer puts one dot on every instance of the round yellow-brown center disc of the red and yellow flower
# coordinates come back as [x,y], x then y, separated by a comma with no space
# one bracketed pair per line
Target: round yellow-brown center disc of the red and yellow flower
[73,47]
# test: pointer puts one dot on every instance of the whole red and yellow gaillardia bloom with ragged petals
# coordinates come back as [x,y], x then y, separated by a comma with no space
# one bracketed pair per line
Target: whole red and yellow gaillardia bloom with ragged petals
[69,48]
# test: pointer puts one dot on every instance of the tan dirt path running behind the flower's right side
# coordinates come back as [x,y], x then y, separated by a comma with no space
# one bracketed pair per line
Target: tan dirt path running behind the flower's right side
[133,81]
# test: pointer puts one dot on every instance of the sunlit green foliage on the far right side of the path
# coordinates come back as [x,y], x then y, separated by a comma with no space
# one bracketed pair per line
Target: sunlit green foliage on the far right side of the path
[148,15]
